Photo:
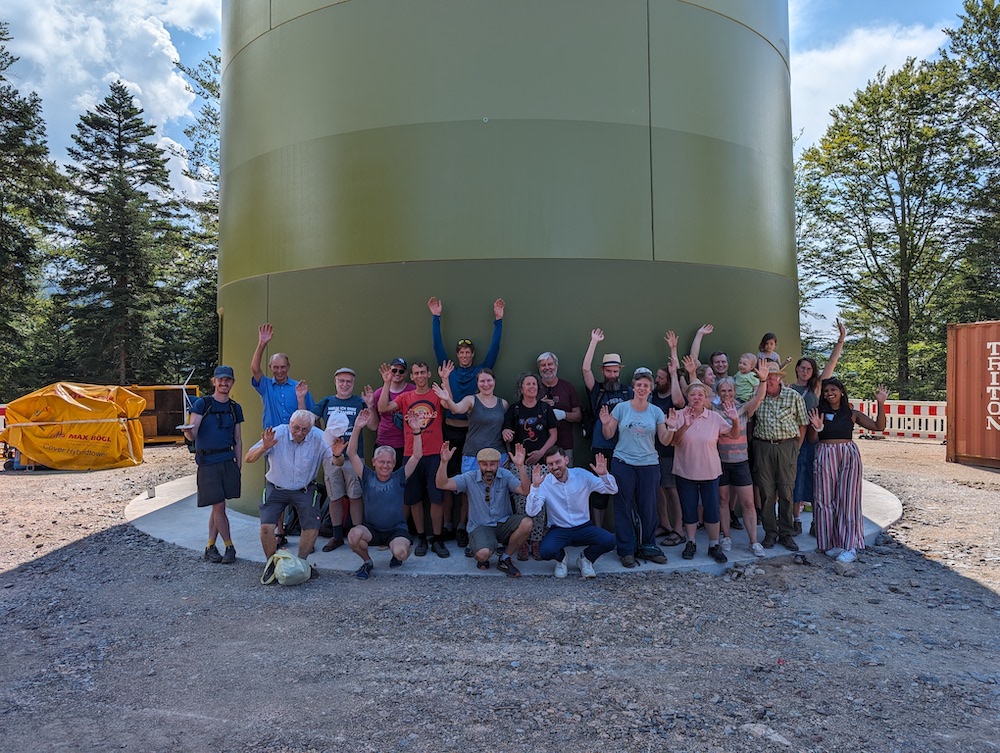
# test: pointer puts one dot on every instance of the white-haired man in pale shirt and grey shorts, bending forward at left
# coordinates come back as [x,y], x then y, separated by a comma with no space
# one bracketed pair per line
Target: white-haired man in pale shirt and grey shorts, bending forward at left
[295,452]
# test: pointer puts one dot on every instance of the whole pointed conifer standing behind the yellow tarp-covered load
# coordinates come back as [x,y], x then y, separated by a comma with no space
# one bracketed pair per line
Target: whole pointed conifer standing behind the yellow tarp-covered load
[124,232]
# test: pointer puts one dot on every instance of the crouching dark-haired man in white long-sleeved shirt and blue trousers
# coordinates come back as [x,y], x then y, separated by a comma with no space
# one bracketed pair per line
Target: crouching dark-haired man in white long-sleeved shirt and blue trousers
[566,494]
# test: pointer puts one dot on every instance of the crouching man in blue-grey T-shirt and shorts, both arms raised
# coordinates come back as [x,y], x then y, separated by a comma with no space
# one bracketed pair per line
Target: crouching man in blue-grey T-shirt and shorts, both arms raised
[382,492]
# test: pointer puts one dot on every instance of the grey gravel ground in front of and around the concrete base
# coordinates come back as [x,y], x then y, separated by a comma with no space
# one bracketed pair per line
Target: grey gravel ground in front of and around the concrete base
[115,640]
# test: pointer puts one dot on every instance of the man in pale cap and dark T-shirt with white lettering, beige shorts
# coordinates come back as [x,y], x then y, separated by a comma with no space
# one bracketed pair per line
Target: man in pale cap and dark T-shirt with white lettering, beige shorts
[341,480]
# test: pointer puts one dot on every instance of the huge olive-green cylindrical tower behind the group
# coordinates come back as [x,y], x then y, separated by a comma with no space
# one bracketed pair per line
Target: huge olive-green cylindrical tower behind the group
[624,165]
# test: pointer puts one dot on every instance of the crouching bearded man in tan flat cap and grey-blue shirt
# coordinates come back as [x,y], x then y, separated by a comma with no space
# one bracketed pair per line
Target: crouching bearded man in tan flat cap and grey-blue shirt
[491,519]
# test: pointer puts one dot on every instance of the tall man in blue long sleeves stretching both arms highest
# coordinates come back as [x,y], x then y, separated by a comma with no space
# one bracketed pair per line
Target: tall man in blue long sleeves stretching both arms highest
[462,382]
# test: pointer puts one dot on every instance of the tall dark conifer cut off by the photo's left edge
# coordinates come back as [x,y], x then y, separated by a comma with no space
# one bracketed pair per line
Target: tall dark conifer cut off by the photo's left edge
[30,202]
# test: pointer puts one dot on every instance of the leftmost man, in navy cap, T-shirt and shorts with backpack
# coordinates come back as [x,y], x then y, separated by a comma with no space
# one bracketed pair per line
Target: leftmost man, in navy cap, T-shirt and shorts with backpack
[218,447]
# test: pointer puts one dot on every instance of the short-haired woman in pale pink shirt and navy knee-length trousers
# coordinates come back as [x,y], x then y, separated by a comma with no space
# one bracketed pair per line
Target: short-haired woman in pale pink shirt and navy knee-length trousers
[697,466]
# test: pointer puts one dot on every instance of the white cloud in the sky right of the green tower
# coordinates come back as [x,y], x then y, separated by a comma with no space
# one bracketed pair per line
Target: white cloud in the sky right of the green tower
[825,77]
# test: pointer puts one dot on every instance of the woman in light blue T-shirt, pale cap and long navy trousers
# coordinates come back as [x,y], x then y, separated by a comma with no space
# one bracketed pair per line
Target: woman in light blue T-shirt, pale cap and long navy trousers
[636,467]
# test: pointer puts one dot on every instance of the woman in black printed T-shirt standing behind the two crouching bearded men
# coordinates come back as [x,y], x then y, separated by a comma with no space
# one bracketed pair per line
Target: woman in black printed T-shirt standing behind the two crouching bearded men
[532,423]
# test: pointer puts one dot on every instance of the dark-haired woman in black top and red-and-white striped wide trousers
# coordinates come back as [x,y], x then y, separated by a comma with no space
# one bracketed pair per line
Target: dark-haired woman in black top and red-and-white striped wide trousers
[837,509]
